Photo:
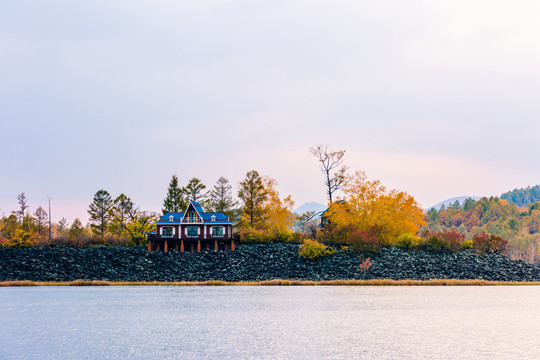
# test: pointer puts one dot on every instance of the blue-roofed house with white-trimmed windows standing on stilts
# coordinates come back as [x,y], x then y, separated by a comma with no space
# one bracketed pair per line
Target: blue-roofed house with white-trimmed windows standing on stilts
[191,230]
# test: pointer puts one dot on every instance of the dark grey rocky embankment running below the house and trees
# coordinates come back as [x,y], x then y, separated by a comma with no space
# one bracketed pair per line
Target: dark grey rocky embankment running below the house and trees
[251,262]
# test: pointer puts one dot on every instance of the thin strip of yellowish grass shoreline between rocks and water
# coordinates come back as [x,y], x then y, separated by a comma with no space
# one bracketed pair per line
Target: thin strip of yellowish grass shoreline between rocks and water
[275,282]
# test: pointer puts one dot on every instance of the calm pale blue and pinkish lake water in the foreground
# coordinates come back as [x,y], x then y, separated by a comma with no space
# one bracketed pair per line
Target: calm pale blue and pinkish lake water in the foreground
[270,322]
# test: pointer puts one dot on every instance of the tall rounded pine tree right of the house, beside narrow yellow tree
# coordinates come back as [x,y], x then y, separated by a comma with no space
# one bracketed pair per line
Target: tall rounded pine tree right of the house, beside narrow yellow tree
[253,195]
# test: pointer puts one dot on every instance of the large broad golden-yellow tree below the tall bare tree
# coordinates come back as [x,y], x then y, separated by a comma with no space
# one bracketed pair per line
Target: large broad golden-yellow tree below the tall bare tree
[369,211]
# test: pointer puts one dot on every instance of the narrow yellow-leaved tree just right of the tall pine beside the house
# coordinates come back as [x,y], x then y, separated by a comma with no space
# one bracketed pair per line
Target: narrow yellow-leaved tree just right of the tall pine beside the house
[279,218]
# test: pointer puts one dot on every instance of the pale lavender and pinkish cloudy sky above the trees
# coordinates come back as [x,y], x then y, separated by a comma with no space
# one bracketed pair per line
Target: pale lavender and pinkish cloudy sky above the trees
[435,98]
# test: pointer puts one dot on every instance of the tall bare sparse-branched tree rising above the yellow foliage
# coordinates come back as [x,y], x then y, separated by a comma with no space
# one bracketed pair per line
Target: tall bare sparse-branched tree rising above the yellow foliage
[332,168]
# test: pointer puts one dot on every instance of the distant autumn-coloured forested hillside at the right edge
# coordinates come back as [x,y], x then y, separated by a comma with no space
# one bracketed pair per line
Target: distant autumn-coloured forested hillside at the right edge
[519,226]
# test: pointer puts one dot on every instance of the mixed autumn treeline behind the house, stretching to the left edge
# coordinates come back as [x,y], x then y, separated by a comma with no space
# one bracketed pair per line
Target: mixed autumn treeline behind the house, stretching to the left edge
[258,213]
